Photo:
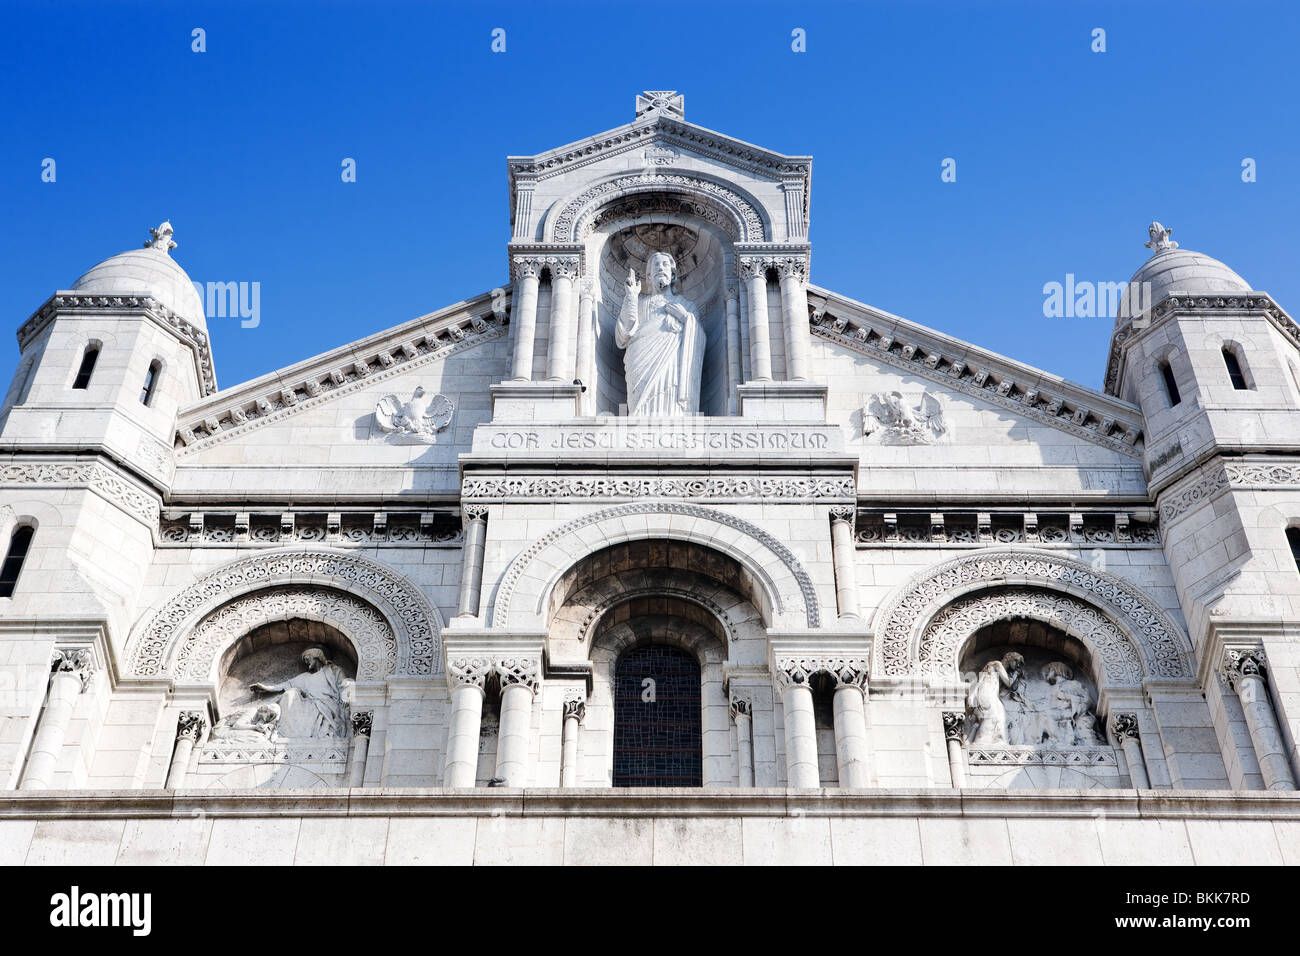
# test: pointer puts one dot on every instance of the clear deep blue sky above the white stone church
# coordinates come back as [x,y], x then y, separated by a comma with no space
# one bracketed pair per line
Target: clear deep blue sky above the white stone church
[1063,155]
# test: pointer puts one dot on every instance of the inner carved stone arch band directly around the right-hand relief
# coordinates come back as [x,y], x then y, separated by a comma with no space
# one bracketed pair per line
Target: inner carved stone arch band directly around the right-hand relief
[947,634]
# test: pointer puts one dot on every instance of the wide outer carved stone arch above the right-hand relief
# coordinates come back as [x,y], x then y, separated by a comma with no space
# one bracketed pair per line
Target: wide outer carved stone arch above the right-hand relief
[930,603]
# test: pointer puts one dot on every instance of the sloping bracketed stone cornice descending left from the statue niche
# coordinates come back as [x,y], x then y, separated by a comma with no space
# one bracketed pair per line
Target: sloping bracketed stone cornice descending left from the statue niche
[343,374]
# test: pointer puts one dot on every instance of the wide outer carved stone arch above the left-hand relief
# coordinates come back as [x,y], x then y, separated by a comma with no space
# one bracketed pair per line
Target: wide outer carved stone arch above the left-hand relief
[415,626]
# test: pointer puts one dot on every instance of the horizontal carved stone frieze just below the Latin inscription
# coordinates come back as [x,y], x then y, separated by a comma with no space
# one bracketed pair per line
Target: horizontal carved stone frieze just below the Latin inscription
[703,487]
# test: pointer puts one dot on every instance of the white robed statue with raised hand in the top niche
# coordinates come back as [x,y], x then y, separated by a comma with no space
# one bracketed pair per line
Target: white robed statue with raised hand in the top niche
[665,345]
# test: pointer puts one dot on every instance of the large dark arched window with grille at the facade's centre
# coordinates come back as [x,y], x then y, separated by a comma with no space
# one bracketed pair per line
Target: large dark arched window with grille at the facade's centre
[657,719]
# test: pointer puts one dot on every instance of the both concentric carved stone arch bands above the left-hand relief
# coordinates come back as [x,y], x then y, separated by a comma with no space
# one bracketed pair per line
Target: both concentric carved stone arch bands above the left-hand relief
[175,642]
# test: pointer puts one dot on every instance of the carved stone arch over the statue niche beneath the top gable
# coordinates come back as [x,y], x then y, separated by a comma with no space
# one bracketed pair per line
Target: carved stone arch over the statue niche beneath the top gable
[739,217]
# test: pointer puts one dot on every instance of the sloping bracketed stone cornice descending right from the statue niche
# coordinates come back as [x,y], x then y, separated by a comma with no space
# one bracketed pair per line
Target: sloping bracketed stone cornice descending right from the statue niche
[1095,418]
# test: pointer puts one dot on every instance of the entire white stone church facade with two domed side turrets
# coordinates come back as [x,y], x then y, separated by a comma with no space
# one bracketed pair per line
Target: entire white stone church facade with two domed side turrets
[658,550]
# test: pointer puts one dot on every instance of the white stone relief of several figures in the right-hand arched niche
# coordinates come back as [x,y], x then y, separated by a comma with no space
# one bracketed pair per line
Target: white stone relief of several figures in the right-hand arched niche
[1012,704]
